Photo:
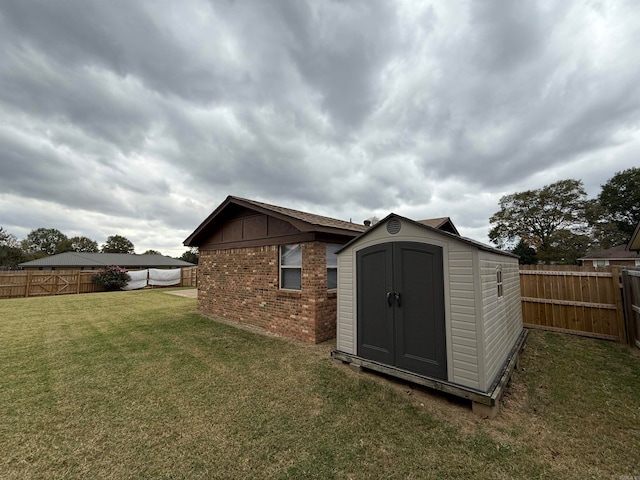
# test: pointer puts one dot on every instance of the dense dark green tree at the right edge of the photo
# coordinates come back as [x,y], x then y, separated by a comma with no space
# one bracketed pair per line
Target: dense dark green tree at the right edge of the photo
[615,214]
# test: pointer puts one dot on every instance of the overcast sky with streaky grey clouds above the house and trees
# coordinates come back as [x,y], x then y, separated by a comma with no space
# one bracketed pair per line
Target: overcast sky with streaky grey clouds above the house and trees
[138,118]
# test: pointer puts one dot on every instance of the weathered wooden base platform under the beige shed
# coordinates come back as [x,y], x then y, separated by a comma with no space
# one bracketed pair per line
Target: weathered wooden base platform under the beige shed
[485,404]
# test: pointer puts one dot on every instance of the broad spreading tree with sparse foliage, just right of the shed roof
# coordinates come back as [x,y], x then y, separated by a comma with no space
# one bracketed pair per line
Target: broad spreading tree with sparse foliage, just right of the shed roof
[535,215]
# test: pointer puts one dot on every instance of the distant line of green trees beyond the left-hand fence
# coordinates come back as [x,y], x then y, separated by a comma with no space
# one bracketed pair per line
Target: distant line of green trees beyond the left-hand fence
[43,242]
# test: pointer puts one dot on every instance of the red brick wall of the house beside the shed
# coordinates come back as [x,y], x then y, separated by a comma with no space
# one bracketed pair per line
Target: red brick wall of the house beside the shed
[242,285]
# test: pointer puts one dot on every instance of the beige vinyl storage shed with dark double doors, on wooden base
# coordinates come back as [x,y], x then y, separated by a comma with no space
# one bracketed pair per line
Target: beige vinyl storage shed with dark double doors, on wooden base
[431,307]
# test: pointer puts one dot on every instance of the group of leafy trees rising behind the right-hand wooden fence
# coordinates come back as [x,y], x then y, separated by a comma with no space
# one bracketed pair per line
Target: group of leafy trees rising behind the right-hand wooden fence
[558,223]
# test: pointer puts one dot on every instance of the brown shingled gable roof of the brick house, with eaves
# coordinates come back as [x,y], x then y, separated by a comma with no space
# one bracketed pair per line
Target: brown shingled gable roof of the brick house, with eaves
[303,221]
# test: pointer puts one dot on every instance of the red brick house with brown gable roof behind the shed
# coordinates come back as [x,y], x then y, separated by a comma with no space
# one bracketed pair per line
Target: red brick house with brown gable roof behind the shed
[272,267]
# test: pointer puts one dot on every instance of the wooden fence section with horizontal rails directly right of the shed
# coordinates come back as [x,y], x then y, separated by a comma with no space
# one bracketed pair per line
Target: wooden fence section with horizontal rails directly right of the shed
[573,299]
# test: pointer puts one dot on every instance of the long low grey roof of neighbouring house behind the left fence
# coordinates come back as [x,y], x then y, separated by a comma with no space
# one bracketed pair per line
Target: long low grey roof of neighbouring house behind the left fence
[85,259]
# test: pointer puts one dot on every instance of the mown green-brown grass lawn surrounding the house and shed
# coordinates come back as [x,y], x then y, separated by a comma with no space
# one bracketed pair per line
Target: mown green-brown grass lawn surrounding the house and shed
[138,385]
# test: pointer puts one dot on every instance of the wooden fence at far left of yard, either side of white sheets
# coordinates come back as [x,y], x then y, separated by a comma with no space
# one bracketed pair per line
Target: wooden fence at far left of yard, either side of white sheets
[35,283]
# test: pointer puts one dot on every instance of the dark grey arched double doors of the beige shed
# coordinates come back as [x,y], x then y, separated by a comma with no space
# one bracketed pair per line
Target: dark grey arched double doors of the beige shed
[401,307]
